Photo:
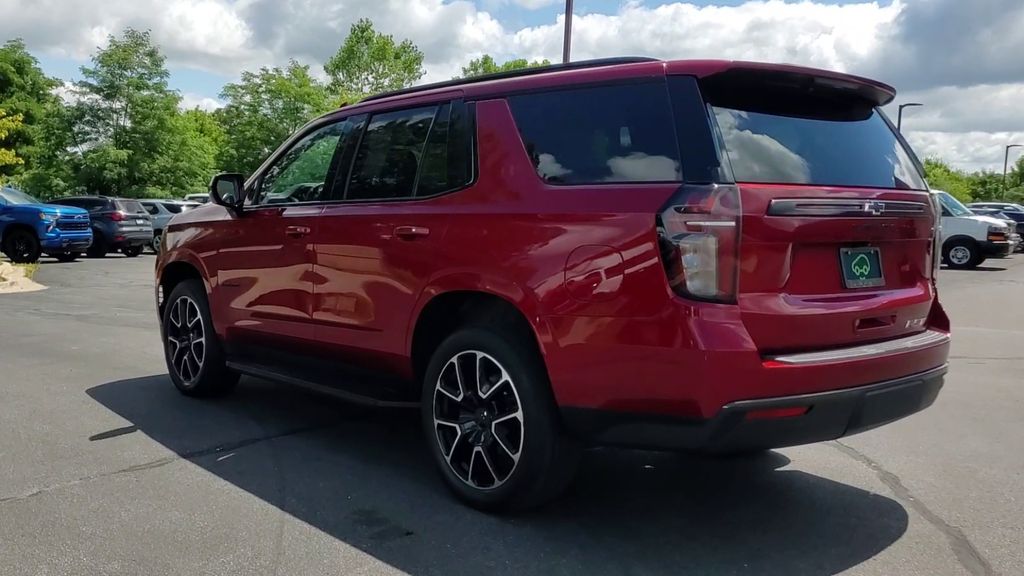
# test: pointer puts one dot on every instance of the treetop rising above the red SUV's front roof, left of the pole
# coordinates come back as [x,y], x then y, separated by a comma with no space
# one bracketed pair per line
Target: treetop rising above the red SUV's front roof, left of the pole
[370,63]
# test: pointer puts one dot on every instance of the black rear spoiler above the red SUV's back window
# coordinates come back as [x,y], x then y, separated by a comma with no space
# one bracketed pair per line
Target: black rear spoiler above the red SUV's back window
[722,76]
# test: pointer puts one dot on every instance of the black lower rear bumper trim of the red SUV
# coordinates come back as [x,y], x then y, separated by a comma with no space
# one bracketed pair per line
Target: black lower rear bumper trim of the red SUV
[829,416]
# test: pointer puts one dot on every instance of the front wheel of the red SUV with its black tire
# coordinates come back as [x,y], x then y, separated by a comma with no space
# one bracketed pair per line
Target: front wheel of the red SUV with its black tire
[200,371]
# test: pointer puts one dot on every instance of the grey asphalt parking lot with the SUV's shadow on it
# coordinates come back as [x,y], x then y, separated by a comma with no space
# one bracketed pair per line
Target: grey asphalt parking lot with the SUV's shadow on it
[105,469]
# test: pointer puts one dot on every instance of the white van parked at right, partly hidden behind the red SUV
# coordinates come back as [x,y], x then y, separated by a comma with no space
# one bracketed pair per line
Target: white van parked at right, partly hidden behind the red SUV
[969,239]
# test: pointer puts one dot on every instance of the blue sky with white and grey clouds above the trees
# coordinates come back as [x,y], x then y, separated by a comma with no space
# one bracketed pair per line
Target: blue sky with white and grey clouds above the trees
[963,59]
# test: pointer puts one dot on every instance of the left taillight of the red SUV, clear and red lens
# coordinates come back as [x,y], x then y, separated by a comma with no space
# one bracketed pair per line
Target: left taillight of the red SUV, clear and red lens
[699,233]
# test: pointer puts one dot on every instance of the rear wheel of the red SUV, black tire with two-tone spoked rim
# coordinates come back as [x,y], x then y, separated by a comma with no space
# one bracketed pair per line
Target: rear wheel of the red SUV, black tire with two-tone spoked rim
[509,451]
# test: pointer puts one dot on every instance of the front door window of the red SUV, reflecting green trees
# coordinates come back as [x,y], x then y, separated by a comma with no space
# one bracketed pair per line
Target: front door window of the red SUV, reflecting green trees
[301,174]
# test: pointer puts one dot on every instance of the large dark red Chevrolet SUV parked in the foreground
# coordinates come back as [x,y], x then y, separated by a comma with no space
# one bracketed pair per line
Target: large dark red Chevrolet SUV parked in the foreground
[688,256]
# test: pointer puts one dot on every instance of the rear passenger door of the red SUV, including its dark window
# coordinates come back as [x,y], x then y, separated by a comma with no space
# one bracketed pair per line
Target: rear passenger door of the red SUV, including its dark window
[375,251]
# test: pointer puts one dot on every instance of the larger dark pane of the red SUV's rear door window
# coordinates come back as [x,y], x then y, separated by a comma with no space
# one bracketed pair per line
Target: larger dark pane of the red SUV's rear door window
[390,154]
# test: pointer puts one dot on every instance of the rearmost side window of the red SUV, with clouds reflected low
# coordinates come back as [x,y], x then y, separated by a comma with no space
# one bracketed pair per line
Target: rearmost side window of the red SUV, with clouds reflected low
[604,135]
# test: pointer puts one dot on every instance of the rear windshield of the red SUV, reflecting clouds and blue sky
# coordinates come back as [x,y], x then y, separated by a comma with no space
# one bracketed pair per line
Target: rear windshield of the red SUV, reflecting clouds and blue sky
[831,148]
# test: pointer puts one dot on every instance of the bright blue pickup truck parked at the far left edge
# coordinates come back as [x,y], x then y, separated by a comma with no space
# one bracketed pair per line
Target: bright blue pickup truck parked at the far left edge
[29,229]
